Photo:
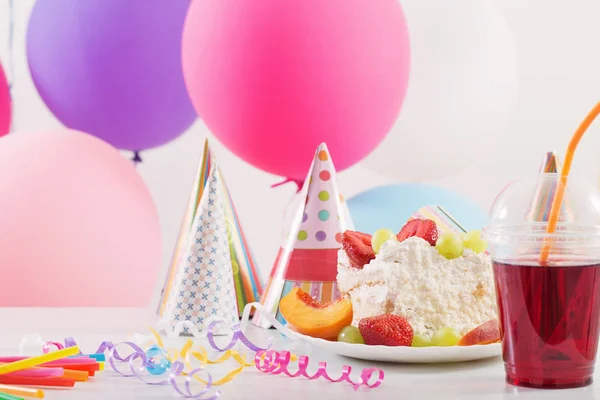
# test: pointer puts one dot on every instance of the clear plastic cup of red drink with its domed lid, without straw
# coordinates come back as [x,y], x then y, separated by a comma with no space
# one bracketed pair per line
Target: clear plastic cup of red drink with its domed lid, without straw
[550,313]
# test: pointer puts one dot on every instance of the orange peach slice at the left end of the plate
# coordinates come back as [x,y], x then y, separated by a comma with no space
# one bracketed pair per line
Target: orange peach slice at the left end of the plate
[312,318]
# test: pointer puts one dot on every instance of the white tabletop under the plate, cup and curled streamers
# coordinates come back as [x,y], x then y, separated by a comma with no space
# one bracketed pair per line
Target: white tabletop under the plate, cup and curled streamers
[471,380]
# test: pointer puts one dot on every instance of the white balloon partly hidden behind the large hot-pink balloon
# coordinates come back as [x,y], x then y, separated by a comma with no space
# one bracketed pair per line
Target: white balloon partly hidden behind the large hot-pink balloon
[462,91]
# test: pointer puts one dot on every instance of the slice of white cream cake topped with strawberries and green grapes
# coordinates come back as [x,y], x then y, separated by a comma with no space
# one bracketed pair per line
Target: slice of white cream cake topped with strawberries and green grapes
[434,282]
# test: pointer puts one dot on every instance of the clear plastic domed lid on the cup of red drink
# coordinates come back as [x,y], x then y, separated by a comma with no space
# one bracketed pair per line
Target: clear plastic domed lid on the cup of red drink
[520,212]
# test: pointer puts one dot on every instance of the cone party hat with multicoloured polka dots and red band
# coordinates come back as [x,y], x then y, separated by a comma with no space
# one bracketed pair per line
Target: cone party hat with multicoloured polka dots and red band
[308,257]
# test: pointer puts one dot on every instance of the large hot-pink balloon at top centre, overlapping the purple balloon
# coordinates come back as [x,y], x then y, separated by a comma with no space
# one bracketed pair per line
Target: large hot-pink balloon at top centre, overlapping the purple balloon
[273,79]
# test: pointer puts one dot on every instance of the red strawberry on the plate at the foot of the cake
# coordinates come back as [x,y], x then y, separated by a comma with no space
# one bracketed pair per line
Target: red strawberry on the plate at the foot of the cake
[386,330]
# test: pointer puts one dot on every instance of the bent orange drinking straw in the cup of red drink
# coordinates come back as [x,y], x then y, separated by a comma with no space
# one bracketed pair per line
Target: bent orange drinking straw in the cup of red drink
[564,174]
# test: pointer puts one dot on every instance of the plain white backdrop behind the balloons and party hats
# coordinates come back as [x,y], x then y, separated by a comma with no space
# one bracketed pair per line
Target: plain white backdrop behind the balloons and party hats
[559,63]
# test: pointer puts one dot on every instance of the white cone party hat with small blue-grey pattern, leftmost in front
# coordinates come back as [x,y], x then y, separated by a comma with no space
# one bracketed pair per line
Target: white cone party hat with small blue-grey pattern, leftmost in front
[203,288]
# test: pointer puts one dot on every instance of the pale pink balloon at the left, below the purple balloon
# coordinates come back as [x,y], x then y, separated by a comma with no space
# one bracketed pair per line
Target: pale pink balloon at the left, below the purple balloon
[78,227]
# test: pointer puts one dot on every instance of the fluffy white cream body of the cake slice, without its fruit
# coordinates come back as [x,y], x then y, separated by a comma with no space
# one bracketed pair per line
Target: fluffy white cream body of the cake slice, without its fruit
[413,280]
